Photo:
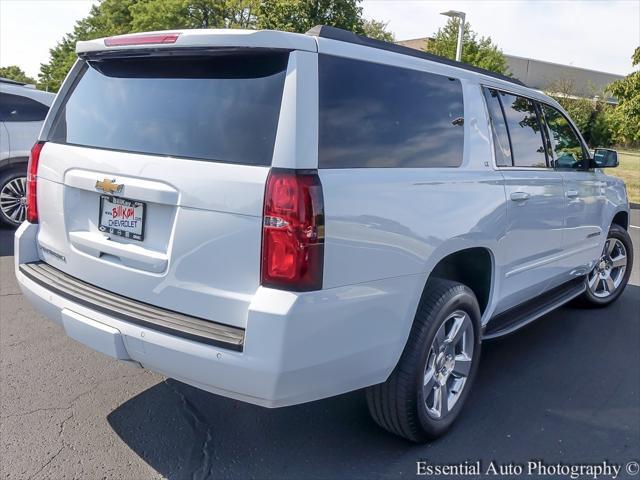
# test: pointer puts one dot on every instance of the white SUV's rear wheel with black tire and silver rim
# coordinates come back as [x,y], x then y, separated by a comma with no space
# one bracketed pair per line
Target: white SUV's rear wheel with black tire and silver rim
[428,388]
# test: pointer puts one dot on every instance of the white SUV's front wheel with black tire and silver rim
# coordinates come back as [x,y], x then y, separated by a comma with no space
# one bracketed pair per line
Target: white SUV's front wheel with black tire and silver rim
[609,277]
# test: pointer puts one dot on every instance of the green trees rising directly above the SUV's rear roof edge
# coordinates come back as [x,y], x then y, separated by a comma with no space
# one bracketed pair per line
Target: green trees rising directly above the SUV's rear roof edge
[115,17]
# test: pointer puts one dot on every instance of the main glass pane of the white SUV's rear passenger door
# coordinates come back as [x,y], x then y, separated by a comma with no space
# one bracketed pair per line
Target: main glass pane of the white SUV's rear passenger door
[524,130]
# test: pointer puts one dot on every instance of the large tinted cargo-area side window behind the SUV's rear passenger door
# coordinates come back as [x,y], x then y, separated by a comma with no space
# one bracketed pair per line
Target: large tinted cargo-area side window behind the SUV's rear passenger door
[375,115]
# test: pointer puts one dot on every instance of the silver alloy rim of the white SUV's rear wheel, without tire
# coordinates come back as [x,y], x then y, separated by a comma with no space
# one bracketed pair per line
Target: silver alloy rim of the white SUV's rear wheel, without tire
[448,364]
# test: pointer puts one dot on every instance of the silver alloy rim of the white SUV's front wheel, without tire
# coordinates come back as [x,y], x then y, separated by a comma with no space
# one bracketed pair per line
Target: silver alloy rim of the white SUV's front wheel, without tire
[608,274]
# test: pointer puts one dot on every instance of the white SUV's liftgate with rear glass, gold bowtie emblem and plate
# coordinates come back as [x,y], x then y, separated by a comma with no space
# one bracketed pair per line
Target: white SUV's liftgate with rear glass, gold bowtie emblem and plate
[151,182]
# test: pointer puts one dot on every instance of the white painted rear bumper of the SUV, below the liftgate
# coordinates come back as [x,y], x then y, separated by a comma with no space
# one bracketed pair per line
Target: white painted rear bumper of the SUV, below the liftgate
[297,347]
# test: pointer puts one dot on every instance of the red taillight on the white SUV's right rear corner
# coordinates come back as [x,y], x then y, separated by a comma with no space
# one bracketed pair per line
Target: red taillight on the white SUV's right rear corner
[293,231]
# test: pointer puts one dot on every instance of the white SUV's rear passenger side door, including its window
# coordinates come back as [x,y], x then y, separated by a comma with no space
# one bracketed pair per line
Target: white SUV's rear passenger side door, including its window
[535,198]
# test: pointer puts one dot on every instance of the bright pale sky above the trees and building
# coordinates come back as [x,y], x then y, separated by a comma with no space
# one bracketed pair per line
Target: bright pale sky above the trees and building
[596,34]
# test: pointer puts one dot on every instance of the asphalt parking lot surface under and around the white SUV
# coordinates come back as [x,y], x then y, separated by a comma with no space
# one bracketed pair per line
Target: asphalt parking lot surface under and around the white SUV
[565,389]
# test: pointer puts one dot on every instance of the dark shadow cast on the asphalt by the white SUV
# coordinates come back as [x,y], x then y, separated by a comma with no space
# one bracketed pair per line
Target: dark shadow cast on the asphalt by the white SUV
[540,393]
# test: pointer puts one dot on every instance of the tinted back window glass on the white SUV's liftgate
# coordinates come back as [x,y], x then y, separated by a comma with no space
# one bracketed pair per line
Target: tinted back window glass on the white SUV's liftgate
[222,108]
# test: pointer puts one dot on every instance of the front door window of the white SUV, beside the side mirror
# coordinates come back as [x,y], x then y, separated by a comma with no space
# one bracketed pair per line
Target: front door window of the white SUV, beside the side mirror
[565,144]
